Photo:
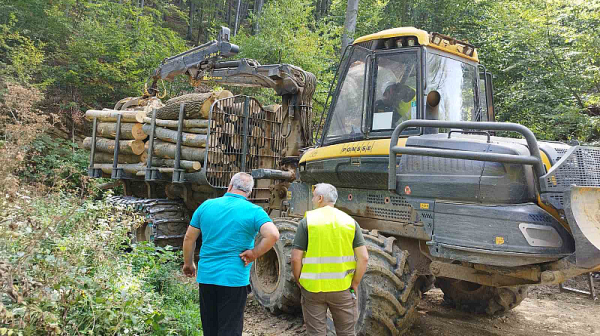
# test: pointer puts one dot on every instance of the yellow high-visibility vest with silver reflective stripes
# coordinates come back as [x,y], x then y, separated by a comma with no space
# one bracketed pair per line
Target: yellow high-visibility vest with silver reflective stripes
[328,265]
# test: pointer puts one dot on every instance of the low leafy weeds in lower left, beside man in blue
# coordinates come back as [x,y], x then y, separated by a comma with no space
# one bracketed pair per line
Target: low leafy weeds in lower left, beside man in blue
[67,273]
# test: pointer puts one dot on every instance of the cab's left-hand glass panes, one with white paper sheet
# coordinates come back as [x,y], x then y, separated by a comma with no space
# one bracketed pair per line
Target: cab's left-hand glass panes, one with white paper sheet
[393,84]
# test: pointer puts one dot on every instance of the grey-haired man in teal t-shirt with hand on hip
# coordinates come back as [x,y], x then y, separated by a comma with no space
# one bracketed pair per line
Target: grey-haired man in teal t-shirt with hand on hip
[228,225]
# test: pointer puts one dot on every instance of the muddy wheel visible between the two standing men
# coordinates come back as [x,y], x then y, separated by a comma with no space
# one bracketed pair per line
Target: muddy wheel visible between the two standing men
[271,276]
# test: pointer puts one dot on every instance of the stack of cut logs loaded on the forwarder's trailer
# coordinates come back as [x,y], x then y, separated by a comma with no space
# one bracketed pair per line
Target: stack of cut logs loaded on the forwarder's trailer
[136,126]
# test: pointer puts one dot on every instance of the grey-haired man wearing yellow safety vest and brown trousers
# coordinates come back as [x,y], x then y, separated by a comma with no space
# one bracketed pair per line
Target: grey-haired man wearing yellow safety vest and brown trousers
[329,258]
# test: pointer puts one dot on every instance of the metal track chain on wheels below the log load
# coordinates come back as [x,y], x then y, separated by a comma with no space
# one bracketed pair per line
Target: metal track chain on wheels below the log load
[167,219]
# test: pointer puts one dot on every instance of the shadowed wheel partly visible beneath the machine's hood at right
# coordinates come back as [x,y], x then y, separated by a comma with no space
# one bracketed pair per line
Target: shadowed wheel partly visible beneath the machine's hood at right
[476,298]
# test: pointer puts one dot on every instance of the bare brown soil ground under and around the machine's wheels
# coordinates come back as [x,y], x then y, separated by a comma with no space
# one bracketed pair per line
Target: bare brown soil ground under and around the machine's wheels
[546,311]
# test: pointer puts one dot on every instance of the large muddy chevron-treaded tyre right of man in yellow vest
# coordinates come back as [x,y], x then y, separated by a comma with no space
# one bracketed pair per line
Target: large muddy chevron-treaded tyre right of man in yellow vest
[389,292]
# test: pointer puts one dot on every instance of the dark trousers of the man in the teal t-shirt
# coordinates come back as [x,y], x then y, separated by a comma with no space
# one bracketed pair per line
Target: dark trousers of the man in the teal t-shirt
[222,309]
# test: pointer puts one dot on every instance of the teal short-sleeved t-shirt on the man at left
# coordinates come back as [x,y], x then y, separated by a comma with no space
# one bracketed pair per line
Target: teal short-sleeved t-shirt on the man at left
[229,225]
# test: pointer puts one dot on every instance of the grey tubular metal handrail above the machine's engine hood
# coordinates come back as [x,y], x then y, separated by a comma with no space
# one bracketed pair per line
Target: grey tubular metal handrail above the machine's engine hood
[534,159]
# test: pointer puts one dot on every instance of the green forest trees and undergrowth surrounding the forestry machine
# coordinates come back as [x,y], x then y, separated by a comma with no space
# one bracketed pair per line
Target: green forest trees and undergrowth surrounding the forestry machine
[62,270]
